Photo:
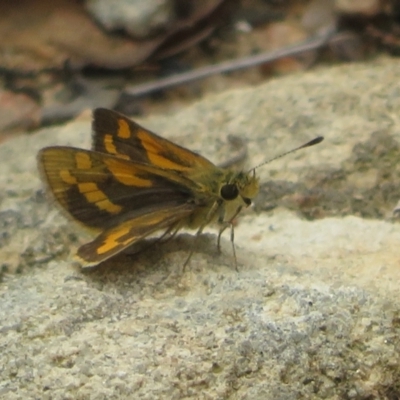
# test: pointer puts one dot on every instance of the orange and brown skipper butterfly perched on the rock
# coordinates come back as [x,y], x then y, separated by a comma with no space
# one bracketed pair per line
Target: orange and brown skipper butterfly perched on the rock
[134,183]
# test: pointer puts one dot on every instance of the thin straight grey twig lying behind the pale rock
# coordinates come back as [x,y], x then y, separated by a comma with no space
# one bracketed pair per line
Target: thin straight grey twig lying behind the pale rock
[227,66]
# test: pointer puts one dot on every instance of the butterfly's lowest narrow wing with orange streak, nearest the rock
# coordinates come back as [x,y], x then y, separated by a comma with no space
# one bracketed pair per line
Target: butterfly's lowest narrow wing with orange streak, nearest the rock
[131,231]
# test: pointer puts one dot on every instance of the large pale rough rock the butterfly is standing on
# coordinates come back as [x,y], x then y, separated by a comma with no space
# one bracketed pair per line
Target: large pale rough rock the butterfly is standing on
[313,310]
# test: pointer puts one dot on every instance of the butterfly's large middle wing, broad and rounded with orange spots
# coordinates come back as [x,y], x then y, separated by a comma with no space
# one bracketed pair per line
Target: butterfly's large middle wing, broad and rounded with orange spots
[101,191]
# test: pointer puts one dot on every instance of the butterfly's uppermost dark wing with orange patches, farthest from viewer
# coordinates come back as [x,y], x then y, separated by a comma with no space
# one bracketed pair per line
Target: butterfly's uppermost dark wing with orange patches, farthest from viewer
[115,134]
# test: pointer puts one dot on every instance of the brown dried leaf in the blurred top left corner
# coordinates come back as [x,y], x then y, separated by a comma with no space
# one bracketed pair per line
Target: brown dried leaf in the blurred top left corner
[43,34]
